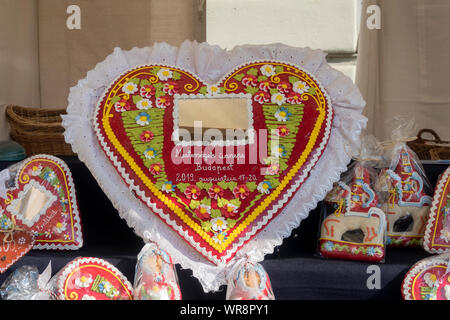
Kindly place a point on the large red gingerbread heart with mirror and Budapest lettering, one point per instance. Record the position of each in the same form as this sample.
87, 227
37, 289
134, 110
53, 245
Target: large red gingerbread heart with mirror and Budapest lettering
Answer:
217, 196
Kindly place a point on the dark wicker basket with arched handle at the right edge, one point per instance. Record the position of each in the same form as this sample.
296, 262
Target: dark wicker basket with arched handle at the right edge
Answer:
426, 149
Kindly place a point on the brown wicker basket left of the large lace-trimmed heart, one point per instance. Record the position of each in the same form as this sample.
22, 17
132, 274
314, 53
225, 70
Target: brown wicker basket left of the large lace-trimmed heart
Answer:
38, 130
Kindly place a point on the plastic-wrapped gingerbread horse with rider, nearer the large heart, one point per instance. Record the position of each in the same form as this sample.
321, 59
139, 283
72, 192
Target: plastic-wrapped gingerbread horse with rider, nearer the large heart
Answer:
353, 225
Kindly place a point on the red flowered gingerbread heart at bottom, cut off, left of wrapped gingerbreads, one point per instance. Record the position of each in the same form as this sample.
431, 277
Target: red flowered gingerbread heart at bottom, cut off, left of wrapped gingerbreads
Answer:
90, 278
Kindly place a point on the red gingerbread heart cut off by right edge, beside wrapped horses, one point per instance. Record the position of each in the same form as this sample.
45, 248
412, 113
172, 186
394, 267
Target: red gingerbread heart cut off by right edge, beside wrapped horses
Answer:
437, 233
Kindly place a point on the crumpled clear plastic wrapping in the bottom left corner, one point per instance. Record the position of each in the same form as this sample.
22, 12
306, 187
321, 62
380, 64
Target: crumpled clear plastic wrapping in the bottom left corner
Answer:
25, 283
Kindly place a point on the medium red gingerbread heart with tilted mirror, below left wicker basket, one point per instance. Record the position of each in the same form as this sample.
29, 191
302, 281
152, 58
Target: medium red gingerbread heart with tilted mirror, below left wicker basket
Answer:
41, 197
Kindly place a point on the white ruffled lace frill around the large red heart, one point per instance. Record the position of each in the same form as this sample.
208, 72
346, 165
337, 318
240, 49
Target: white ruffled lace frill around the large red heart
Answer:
211, 63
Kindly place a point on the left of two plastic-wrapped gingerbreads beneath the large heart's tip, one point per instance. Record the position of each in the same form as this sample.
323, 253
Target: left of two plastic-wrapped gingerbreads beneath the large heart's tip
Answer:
155, 276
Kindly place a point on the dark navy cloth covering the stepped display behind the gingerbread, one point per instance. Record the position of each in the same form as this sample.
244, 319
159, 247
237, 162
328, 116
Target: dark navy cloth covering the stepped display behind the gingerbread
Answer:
295, 270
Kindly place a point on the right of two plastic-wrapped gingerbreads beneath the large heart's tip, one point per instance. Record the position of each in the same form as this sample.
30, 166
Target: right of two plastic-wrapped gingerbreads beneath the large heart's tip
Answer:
249, 281
